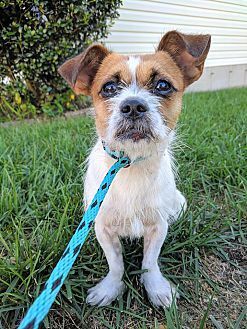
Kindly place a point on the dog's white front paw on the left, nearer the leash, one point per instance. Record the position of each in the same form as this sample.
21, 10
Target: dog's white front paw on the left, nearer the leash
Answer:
105, 292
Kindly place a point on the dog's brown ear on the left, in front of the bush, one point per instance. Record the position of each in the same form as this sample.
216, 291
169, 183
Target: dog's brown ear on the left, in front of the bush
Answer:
80, 70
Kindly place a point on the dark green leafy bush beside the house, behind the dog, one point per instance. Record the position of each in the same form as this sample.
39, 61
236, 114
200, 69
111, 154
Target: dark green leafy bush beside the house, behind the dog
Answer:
37, 36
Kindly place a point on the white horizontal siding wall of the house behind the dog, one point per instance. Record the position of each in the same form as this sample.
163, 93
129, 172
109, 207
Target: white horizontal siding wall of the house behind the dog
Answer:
142, 23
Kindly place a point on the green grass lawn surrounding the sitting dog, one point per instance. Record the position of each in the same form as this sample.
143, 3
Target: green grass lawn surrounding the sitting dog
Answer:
204, 254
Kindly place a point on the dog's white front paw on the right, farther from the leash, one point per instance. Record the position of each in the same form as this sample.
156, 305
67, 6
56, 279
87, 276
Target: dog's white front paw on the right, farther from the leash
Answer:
159, 290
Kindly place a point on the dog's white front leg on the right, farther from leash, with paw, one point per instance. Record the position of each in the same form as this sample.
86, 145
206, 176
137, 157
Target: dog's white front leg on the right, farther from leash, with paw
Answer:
158, 288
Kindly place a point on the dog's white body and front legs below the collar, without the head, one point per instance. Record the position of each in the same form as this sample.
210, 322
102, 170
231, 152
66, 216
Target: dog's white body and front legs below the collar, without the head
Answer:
141, 201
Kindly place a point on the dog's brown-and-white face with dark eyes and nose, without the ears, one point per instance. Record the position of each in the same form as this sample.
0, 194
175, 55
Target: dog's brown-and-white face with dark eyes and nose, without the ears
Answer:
137, 98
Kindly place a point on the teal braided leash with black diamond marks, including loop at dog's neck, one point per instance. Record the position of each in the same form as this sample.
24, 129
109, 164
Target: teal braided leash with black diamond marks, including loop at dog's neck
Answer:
42, 304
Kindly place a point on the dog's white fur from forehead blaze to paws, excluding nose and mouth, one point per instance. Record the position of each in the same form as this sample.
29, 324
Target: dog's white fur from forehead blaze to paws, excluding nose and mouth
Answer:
141, 201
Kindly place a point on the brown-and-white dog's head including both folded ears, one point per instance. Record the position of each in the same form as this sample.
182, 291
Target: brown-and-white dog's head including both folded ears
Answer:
138, 99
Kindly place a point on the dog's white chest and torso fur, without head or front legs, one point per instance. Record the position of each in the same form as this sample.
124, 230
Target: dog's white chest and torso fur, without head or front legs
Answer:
139, 196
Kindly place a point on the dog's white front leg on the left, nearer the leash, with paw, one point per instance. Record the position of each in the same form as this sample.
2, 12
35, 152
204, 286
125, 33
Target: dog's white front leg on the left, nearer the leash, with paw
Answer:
112, 285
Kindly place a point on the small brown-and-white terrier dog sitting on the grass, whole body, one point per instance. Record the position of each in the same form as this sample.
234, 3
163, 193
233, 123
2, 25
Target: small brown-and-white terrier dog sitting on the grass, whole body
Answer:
137, 102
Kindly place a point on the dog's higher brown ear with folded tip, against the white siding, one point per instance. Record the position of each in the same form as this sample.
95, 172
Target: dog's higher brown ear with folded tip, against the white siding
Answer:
188, 51
